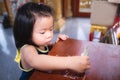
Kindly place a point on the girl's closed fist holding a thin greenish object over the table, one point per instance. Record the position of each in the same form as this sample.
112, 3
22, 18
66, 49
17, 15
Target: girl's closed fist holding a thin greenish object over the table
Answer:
79, 63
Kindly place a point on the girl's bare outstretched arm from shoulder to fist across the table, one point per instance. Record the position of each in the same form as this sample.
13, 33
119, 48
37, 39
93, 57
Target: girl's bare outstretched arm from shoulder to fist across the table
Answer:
47, 62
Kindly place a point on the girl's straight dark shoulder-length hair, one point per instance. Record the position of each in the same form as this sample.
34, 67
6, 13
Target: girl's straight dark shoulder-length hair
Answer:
25, 19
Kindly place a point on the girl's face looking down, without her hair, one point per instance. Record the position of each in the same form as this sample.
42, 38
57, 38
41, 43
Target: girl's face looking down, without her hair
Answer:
43, 31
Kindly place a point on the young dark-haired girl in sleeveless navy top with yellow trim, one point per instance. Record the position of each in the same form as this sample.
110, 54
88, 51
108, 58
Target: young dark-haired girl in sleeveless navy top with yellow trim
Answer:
33, 32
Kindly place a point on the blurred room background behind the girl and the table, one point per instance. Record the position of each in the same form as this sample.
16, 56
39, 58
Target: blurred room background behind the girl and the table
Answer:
90, 20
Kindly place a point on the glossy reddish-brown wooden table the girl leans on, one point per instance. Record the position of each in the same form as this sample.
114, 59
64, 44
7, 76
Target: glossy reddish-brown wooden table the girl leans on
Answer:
104, 61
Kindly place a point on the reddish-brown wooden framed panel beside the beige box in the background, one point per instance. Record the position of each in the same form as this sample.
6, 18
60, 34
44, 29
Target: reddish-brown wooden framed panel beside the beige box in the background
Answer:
81, 8
